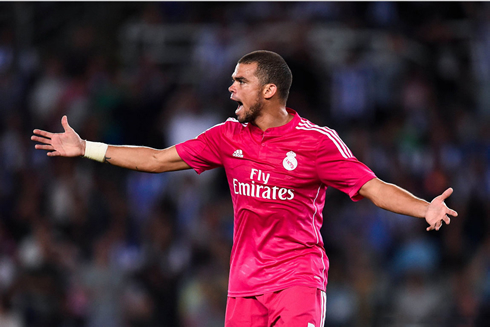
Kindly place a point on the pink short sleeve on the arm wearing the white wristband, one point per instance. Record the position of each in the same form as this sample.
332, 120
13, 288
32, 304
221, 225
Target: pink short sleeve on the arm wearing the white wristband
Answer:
202, 153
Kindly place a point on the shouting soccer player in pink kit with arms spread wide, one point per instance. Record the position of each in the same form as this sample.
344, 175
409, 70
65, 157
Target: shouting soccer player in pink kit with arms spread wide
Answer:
278, 167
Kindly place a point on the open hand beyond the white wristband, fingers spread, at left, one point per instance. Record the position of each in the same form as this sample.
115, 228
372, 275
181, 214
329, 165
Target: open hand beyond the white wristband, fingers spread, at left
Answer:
67, 144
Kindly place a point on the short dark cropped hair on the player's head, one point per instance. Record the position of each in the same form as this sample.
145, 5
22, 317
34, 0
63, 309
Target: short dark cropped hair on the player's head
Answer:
271, 68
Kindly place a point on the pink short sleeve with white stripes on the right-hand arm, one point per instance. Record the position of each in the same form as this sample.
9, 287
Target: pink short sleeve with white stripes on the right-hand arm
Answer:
338, 168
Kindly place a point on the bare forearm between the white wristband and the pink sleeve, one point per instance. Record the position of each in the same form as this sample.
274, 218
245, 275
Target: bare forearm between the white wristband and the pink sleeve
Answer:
144, 159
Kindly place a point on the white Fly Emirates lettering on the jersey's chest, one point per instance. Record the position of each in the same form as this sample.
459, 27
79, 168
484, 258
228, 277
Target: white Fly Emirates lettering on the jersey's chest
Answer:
262, 190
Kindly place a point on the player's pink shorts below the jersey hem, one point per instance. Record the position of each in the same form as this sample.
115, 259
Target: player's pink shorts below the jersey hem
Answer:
297, 306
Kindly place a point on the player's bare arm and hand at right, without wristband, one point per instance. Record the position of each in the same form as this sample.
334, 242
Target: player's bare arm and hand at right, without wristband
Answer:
393, 198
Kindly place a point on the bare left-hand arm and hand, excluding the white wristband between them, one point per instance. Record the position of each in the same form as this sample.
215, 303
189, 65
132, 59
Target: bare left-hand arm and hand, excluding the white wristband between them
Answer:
69, 144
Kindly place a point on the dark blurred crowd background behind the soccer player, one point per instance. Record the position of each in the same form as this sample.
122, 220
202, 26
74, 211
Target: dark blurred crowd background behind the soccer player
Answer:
406, 85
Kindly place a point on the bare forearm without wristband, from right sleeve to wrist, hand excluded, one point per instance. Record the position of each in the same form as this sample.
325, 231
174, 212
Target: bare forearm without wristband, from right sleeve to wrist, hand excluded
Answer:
393, 198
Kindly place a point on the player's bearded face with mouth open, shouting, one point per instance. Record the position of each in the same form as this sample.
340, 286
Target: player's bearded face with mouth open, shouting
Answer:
247, 91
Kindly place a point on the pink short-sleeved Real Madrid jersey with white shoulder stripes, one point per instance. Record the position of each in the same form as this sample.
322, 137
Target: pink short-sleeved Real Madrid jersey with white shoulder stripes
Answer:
277, 180
